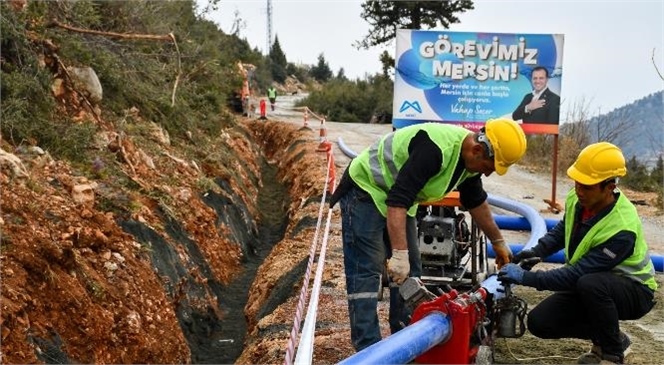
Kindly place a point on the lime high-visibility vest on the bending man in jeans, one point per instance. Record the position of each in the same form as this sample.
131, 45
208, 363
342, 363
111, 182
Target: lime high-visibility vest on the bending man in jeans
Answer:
376, 168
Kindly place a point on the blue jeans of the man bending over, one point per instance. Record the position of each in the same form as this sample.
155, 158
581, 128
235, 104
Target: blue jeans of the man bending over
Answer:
365, 252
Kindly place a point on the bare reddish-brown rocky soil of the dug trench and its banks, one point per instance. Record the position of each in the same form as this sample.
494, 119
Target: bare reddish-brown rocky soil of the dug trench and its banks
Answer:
151, 259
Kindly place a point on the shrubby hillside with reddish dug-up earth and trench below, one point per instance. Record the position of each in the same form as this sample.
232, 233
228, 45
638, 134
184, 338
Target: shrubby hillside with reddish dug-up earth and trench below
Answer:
136, 208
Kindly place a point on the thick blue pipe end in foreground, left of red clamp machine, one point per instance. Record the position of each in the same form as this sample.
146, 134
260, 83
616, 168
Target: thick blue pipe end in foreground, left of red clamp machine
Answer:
405, 345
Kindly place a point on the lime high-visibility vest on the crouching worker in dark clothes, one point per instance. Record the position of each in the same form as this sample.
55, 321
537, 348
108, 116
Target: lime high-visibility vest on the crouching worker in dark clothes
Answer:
622, 217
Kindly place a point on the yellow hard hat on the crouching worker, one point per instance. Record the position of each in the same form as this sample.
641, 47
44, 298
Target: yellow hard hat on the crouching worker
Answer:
596, 163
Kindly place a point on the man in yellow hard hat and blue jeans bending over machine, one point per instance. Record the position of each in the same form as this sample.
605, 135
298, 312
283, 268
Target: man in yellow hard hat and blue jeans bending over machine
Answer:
382, 187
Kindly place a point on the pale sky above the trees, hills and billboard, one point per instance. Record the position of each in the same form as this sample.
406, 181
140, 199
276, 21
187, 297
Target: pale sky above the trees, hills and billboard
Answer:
607, 56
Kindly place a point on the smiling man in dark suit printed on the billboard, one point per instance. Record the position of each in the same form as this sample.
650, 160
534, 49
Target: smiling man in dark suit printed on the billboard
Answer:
541, 106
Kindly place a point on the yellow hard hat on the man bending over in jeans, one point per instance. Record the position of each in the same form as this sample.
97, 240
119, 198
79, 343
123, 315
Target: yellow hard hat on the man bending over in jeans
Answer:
507, 141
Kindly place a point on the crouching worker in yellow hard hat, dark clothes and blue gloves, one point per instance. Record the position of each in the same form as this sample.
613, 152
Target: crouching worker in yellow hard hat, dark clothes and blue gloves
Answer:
608, 275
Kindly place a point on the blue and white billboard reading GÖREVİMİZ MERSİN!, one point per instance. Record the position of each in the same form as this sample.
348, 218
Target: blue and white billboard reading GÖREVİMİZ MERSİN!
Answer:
468, 78
